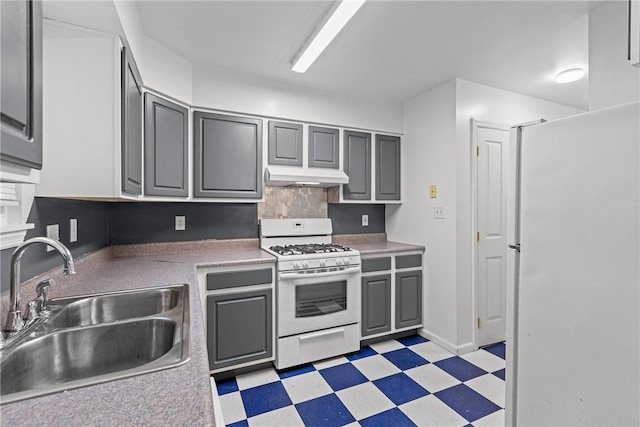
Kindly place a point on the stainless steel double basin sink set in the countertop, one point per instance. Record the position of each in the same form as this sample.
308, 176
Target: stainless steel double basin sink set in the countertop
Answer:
93, 339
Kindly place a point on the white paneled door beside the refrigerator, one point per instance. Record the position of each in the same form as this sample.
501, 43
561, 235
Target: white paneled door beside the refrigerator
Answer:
492, 167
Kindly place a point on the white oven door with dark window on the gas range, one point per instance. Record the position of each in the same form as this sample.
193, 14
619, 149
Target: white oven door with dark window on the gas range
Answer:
312, 301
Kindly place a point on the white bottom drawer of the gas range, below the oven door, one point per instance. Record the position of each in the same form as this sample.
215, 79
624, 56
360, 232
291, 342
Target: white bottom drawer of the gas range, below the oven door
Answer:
299, 349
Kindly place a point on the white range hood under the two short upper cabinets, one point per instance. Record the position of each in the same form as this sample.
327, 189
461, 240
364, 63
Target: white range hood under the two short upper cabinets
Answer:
285, 176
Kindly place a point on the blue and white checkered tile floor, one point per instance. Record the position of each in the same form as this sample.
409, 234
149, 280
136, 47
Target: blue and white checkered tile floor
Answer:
405, 382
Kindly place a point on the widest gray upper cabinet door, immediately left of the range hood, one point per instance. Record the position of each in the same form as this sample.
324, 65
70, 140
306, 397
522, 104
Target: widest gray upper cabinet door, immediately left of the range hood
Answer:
227, 156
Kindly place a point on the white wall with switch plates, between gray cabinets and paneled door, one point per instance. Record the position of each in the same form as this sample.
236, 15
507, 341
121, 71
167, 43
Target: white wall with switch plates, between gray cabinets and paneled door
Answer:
437, 150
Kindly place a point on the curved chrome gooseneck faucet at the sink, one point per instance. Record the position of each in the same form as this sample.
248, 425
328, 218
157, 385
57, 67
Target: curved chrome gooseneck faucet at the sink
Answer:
15, 321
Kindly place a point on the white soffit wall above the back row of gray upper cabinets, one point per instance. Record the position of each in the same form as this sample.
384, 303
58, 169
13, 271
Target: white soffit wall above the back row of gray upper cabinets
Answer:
224, 90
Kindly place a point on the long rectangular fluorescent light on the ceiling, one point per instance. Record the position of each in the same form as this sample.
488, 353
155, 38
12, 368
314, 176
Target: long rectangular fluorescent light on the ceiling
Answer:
334, 21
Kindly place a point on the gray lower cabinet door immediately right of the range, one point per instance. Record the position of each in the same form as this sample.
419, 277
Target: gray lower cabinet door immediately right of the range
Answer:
376, 304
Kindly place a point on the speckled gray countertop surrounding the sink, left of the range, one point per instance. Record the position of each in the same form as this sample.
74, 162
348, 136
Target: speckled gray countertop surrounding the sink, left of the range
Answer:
173, 397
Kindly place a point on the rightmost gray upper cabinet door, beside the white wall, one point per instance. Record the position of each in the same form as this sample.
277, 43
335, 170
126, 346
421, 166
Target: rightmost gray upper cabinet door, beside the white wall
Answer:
387, 167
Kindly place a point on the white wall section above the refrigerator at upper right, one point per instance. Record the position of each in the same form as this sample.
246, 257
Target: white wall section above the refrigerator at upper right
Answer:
612, 80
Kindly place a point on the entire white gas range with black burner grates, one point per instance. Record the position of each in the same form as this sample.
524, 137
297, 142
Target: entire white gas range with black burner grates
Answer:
317, 290
